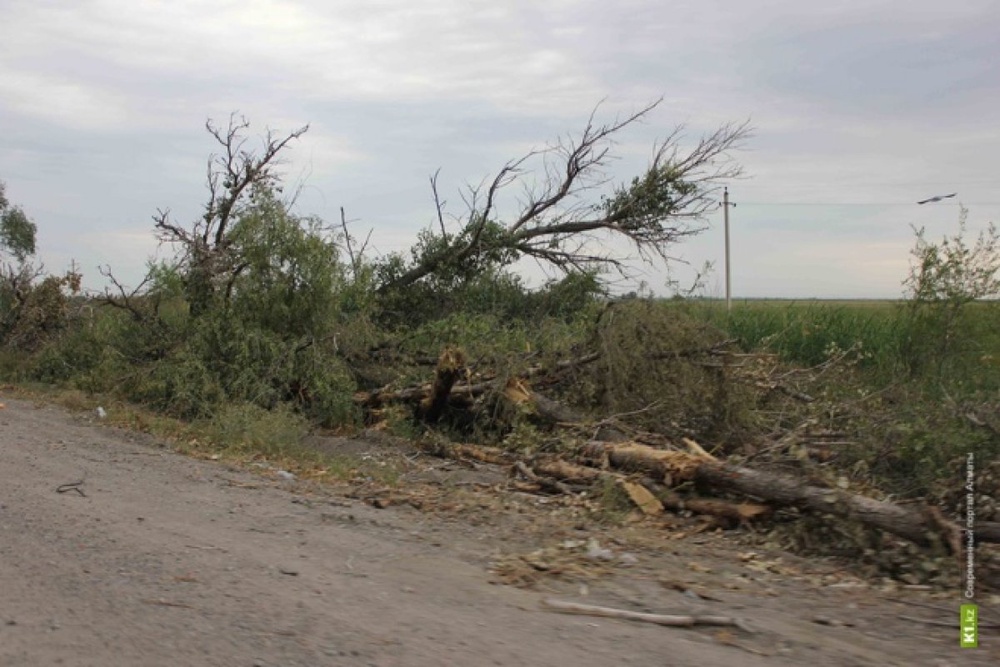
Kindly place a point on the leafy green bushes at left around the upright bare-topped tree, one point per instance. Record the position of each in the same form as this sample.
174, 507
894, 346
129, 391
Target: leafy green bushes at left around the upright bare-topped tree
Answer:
269, 338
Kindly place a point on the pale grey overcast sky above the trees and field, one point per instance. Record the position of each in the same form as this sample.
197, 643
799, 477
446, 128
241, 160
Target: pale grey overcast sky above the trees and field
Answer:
859, 107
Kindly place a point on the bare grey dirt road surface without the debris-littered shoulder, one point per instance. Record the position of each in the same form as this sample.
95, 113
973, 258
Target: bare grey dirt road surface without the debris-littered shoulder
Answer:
158, 559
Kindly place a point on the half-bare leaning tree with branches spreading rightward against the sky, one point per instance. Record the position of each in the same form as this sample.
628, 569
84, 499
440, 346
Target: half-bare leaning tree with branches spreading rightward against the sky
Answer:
556, 223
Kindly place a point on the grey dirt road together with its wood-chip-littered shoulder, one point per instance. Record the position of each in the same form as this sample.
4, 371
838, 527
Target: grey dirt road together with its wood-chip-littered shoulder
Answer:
160, 559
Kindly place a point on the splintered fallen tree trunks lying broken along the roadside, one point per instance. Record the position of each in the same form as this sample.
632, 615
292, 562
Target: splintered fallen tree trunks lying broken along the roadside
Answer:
607, 453
